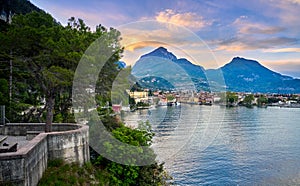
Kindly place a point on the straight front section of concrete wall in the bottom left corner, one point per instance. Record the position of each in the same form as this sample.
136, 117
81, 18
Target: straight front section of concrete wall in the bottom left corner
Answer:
26, 166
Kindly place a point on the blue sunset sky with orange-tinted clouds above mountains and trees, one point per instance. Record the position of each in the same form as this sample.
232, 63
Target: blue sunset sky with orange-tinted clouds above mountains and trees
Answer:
206, 32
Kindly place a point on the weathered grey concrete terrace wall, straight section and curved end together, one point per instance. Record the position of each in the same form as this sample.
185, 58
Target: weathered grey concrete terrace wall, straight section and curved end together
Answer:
26, 166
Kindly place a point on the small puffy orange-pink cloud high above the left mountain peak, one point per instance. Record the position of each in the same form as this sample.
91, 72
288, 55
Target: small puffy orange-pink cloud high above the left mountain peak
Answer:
187, 19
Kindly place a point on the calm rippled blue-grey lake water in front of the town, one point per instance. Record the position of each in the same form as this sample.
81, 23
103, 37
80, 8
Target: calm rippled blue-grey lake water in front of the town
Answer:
213, 145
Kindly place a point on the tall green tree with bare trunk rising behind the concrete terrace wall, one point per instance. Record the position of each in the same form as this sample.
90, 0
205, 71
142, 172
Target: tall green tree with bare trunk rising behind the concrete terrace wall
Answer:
37, 38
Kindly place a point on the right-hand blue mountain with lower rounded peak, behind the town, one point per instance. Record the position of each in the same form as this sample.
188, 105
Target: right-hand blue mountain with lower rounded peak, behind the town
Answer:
244, 75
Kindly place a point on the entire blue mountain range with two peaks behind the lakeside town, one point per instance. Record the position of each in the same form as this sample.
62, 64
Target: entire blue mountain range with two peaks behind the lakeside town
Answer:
160, 69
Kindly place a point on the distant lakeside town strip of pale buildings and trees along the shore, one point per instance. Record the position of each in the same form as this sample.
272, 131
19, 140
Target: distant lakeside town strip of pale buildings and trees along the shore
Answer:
145, 99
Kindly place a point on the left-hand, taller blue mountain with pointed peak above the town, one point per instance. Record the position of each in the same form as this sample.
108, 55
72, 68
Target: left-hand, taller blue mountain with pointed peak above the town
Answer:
162, 64
